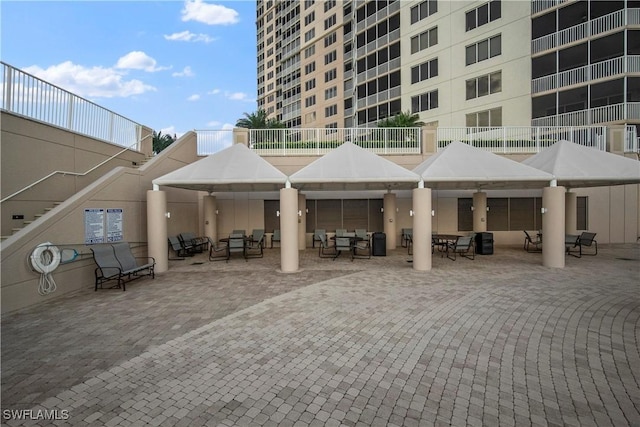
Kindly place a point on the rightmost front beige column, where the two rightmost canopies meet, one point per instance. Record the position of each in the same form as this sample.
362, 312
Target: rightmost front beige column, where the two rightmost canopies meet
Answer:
553, 220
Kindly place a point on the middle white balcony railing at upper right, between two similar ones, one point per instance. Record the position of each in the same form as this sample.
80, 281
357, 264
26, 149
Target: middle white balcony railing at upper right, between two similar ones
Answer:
599, 70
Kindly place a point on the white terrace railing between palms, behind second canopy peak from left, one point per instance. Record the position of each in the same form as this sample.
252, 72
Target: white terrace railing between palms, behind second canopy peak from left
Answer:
306, 142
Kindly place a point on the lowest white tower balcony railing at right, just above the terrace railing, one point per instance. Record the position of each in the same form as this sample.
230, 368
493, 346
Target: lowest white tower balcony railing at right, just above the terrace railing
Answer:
605, 114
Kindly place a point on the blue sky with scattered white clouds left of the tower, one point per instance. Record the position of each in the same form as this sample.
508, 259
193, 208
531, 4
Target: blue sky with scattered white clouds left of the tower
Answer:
173, 66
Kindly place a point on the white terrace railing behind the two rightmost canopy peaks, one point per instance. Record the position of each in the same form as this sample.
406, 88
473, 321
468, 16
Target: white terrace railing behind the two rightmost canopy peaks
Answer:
507, 140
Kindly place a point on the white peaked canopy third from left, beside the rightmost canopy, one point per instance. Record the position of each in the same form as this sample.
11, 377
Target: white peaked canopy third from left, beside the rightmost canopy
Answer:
461, 166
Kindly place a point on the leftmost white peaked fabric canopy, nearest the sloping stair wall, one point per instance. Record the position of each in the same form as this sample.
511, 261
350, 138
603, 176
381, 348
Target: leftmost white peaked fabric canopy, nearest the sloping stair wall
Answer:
236, 168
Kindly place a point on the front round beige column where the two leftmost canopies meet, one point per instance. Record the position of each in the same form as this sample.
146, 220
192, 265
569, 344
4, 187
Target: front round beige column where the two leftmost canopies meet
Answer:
289, 230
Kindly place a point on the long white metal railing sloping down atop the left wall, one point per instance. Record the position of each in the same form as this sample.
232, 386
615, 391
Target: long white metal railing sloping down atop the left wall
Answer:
29, 96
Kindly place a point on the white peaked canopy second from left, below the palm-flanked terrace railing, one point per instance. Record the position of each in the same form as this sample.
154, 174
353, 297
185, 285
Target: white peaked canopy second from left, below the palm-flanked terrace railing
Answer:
350, 167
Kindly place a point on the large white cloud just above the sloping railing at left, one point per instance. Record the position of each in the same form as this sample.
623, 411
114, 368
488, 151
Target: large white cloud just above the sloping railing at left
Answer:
90, 82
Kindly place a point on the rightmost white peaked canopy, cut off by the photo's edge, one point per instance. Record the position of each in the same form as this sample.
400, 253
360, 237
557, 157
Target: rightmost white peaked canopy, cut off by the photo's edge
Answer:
575, 165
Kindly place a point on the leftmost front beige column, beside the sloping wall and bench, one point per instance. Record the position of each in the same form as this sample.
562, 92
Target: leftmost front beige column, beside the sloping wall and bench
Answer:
157, 243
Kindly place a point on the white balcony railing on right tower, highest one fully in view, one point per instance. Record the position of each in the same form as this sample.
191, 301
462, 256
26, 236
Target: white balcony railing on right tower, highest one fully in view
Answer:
581, 31
